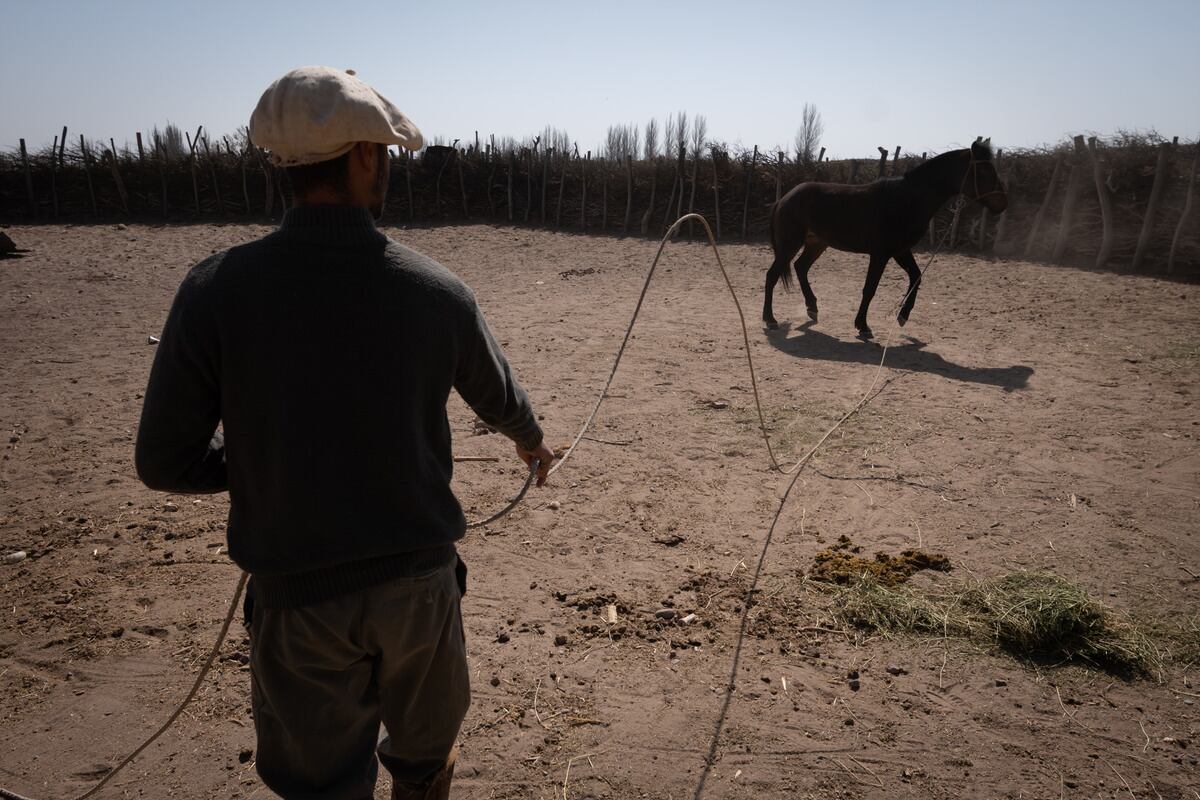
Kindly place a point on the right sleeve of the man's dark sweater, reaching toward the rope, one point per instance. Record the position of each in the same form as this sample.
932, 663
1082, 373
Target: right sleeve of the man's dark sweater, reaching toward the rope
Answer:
485, 382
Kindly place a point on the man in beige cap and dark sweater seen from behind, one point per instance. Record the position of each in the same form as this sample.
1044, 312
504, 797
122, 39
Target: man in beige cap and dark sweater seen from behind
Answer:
328, 353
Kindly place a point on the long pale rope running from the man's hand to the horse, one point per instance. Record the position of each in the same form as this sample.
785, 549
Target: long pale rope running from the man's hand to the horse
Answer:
5, 795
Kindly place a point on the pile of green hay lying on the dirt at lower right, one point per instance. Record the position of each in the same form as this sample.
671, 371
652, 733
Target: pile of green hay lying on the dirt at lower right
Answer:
1033, 616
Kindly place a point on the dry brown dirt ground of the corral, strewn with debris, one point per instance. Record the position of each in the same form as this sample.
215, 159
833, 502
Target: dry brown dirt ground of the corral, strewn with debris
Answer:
1039, 418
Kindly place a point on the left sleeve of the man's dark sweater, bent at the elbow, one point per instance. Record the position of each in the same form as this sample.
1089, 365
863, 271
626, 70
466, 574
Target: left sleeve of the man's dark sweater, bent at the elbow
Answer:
179, 448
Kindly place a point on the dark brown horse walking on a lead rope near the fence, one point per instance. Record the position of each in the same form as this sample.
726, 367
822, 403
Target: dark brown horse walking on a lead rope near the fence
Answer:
884, 219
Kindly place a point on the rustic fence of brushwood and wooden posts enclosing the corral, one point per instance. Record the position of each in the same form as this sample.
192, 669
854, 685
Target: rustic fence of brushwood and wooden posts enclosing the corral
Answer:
1133, 213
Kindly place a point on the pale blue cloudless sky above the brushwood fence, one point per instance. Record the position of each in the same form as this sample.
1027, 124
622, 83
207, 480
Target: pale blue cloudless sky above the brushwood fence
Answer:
927, 75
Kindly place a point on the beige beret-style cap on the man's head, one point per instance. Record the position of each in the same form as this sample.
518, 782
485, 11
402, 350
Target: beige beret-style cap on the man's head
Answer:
315, 115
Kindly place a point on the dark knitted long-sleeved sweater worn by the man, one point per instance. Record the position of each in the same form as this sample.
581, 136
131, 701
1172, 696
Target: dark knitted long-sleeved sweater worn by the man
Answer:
327, 352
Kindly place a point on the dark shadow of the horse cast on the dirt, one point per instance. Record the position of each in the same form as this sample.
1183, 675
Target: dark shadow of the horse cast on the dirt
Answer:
909, 356
